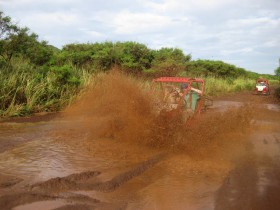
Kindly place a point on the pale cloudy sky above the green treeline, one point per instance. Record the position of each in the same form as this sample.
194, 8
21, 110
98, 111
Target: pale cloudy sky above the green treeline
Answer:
245, 33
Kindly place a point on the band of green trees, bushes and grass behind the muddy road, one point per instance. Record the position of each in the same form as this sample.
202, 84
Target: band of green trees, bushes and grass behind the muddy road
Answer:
37, 77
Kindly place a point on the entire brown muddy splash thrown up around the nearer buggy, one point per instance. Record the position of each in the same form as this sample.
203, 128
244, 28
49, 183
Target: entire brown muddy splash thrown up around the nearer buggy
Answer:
120, 107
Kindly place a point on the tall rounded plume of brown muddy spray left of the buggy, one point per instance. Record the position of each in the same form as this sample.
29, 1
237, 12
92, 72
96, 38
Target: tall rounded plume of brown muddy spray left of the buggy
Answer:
117, 107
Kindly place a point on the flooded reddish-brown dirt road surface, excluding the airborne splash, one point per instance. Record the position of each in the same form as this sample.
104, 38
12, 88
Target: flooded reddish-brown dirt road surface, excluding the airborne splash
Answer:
55, 164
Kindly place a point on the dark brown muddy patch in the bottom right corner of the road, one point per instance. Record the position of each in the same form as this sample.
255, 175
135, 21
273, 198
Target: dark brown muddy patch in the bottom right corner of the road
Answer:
255, 182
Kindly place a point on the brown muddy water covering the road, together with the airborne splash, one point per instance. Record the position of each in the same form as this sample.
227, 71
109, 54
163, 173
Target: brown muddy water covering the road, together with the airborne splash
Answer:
109, 150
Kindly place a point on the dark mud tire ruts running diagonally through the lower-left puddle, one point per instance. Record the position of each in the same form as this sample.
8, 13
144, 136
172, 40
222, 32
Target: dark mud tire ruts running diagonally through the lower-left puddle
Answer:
53, 189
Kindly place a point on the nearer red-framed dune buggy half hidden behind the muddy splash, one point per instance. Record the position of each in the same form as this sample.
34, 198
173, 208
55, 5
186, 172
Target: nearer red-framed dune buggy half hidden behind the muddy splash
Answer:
182, 96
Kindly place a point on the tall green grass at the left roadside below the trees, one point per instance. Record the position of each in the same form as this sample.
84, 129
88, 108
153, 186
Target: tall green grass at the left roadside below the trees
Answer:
24, 89
